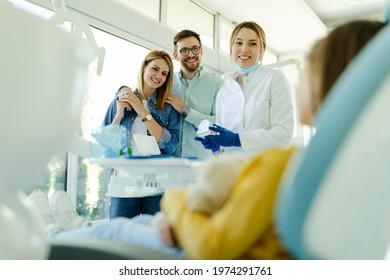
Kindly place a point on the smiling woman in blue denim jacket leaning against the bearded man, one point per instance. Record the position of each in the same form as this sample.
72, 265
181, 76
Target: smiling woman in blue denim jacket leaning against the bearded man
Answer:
144, 111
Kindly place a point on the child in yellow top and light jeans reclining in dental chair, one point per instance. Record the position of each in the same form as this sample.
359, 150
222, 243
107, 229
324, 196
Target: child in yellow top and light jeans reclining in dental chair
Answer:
242, 228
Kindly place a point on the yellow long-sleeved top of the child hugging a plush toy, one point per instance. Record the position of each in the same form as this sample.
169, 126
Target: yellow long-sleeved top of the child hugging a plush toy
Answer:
243, 228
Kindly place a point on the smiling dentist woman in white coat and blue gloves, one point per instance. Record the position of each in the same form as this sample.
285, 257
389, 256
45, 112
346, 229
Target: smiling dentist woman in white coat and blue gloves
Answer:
254, 108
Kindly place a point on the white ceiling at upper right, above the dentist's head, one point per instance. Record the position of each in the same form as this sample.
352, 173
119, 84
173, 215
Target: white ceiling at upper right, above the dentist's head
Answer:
293, 25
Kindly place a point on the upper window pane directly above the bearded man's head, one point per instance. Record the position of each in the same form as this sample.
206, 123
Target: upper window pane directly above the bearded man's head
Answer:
188, 15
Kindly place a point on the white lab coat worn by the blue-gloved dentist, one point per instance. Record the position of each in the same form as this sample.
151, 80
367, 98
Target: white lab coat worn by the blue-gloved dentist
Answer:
261, 112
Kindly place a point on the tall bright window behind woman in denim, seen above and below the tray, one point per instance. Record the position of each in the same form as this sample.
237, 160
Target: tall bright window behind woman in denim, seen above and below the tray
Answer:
121, 66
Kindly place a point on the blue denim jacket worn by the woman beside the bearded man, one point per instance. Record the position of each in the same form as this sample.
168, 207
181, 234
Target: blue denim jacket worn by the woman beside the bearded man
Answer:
169, 119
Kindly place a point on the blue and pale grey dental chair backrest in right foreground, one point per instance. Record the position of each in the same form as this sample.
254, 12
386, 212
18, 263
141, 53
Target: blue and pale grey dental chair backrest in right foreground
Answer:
334, 201
